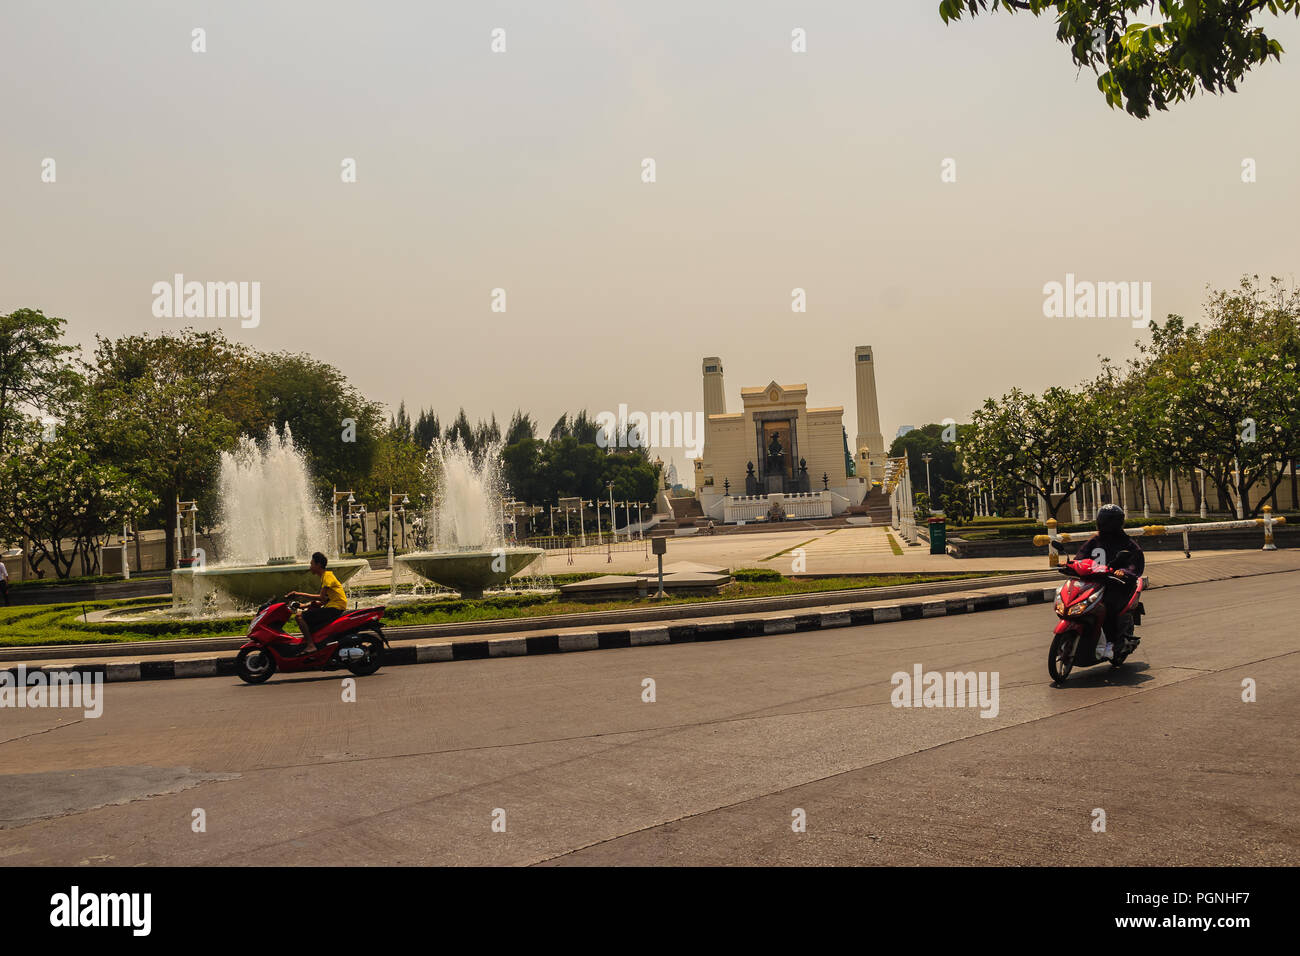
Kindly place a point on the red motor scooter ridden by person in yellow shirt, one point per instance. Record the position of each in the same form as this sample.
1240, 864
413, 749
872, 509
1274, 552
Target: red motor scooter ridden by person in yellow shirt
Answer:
353, 641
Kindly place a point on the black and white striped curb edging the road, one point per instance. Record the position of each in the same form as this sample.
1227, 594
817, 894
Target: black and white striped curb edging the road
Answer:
593, 641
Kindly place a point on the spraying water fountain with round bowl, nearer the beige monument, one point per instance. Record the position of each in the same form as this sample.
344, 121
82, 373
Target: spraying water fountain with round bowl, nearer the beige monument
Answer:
465, 524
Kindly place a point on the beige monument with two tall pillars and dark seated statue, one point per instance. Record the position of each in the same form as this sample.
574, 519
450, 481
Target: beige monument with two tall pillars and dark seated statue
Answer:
778, 451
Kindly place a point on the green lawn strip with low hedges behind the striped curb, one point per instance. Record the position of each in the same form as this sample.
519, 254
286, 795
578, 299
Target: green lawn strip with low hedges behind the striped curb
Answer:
64, 625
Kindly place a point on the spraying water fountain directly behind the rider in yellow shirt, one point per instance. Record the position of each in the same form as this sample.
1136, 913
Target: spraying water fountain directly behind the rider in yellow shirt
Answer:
271, 527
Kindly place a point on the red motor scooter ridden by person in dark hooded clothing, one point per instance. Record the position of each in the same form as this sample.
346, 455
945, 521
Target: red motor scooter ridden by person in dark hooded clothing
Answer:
1084, 613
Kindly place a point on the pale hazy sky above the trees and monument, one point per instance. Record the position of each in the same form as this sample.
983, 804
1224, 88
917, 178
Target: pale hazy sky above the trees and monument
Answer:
523, 171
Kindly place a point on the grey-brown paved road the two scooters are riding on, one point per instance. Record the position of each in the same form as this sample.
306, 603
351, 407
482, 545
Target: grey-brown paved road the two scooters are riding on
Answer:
742, 734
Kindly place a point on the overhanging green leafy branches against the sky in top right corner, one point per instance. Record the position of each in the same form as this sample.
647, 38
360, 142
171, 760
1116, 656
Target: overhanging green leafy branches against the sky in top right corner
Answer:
1193, 45
